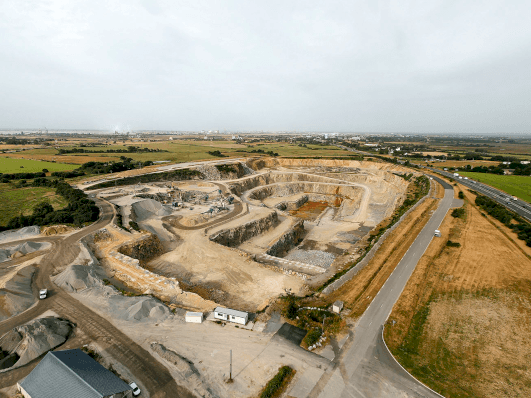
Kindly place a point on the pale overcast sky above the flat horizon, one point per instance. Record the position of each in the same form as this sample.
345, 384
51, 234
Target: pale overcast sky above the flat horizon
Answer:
354, 66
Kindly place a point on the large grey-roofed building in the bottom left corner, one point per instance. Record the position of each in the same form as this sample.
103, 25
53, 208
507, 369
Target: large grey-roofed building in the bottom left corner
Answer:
72, 373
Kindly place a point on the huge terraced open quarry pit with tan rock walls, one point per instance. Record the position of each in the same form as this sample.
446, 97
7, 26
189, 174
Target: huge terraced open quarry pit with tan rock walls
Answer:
241, 235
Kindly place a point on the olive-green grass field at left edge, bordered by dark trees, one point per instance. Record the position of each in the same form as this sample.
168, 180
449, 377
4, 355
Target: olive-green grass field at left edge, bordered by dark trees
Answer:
14, 201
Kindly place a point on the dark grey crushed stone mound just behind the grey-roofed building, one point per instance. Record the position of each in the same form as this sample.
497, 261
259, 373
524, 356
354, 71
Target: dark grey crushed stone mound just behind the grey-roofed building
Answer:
33, 339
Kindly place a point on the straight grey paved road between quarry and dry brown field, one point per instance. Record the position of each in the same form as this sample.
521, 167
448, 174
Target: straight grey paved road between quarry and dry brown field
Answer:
364, 367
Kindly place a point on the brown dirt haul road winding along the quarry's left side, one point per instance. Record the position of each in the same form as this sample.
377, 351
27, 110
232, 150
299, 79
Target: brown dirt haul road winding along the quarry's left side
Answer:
146, 369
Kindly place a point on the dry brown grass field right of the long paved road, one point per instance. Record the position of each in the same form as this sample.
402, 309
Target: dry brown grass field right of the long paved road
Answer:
461, 325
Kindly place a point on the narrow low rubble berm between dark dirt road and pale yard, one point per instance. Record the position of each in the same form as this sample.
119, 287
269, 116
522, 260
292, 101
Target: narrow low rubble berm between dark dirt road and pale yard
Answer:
187, 371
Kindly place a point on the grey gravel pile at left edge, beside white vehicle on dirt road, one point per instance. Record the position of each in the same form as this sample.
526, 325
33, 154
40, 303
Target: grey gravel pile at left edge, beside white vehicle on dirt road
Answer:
16, 295
